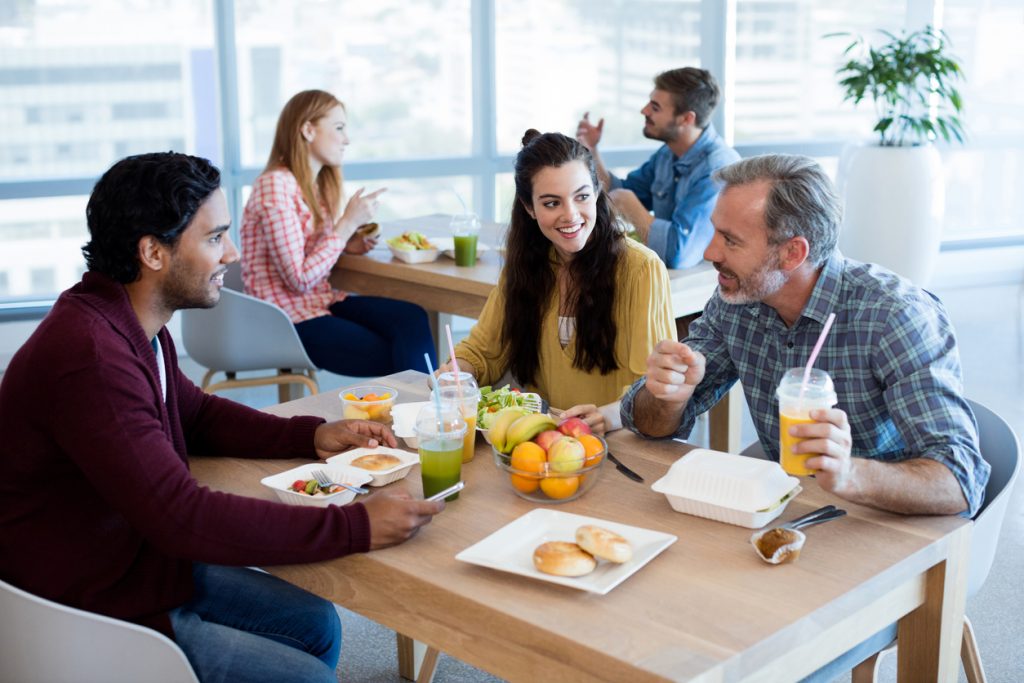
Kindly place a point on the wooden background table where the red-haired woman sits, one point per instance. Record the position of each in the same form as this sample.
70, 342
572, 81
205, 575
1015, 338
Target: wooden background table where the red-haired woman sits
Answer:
444, 289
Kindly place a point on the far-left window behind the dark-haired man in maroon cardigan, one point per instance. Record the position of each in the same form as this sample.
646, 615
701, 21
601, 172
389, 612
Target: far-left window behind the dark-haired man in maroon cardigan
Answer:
83, 84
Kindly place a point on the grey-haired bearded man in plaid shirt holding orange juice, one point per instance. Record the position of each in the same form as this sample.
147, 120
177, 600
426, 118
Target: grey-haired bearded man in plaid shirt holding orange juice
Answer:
903, 439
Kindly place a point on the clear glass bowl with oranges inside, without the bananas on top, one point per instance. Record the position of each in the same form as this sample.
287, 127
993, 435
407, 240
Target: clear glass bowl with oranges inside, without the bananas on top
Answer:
552, 476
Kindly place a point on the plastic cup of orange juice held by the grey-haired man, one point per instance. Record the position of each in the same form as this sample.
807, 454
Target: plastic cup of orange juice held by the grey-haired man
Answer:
795, 407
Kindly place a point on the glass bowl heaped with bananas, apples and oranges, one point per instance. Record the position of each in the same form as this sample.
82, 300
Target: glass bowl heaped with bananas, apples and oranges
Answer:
545, 461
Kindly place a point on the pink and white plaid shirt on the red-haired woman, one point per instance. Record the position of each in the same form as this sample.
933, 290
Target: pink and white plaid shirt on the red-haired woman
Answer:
283, 262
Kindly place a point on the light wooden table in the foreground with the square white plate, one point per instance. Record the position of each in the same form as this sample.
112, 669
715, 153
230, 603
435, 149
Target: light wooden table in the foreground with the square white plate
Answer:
705, 610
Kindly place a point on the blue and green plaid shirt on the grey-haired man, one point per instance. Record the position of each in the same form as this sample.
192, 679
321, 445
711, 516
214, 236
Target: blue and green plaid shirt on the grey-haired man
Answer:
891, 354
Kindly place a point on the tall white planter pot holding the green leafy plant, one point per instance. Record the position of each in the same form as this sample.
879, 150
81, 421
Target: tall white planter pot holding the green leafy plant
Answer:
894, 203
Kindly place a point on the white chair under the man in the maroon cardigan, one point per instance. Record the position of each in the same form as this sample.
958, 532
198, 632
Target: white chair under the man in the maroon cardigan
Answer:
47, 643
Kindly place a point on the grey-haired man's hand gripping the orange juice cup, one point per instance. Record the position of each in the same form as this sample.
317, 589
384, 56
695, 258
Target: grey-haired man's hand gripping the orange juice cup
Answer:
830, 440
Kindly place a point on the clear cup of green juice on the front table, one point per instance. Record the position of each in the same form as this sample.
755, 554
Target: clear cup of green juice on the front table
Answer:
441, 448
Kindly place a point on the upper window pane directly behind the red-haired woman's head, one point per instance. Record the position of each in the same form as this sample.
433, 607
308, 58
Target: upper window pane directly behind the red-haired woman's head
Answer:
403, 70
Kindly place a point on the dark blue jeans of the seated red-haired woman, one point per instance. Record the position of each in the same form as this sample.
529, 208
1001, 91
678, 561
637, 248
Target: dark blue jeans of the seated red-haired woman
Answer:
369, 336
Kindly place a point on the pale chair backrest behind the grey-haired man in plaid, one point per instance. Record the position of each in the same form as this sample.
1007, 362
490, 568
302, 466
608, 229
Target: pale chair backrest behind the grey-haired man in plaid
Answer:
1001, 449
